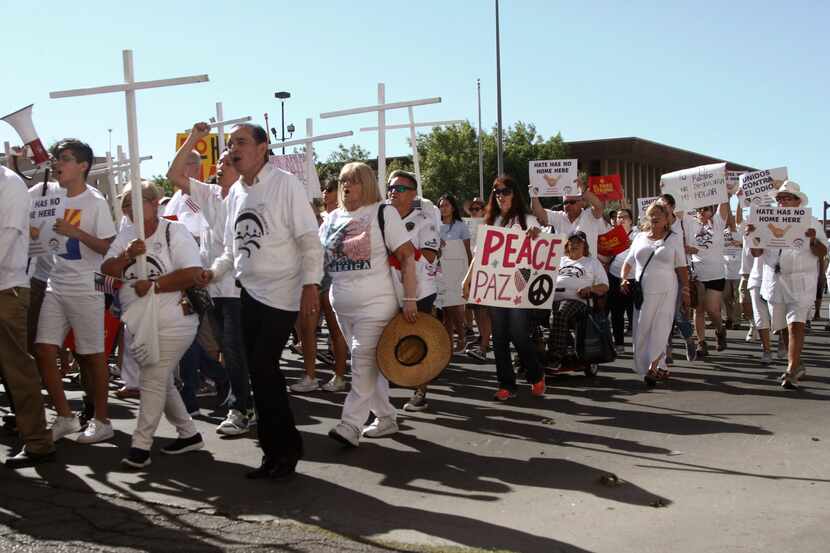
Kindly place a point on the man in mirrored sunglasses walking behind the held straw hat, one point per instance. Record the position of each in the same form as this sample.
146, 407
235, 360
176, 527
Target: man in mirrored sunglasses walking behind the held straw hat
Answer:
419, 221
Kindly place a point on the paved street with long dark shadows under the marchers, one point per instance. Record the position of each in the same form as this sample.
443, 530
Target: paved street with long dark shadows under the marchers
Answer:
720, 459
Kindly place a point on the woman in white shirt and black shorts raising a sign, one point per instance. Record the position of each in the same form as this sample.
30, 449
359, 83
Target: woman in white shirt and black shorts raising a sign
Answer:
704, 244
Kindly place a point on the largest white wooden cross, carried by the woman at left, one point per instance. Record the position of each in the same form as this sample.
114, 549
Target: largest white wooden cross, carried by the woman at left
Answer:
128, 88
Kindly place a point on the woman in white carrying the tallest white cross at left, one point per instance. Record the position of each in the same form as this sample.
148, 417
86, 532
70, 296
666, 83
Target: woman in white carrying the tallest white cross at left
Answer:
173, 264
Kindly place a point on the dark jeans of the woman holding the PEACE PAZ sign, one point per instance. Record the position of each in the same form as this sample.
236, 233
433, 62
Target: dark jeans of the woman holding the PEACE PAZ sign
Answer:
513, 325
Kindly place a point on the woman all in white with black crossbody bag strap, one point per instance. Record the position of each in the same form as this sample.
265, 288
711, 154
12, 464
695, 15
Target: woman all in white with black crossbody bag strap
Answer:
657, 261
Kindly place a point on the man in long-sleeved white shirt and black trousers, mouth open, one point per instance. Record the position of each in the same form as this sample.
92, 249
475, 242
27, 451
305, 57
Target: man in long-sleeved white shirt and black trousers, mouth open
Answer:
271, 244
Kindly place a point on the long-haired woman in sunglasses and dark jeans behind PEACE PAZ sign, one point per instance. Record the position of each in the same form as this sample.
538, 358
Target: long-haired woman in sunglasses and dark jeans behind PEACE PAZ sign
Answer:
506, 207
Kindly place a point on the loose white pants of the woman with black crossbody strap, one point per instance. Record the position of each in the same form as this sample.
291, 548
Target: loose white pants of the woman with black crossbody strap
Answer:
653, 323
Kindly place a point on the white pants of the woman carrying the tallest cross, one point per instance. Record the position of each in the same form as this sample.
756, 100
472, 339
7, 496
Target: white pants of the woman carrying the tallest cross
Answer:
159, 393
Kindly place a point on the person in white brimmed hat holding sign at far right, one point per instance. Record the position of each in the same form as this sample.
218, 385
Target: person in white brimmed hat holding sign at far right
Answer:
789, 282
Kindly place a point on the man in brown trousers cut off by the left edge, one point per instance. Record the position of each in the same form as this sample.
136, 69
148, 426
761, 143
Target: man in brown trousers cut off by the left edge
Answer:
17, 367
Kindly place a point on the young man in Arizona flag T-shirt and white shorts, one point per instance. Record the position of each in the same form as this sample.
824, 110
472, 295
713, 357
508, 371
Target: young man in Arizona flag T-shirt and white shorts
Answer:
71, 300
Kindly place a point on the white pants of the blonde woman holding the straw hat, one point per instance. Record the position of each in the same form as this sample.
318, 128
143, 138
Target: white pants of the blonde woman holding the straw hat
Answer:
370, 389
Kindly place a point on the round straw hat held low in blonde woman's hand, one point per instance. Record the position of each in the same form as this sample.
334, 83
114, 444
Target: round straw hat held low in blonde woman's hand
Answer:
413, 354
